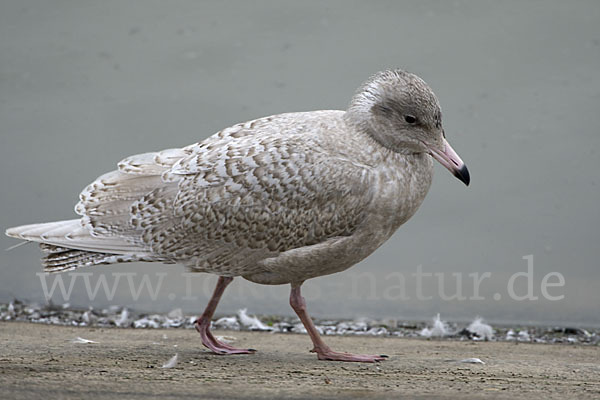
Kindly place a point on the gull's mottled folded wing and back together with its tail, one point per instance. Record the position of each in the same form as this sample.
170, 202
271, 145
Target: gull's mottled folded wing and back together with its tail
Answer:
249, 192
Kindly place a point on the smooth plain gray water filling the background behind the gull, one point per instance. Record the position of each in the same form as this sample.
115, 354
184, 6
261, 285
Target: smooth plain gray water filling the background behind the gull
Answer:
84, 84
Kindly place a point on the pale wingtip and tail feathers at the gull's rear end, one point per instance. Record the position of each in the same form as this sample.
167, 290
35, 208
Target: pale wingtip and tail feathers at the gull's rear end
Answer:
105, 234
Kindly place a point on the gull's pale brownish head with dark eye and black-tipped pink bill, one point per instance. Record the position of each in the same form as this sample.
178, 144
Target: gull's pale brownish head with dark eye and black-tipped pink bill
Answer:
401, 112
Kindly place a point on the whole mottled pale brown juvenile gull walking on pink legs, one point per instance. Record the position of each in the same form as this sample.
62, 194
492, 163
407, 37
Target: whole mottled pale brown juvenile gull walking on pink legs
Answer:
277, 200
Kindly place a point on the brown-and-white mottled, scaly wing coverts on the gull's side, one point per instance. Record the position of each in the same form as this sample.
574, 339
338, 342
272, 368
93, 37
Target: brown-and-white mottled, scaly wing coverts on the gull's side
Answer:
244, 198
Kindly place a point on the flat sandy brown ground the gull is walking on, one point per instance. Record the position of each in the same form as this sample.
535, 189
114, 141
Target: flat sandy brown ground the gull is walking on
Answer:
39, 361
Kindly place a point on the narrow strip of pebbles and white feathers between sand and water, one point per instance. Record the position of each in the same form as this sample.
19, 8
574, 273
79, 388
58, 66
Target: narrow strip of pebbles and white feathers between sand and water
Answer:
116, 316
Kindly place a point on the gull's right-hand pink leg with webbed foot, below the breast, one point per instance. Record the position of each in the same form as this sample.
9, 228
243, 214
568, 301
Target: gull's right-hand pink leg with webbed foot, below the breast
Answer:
323, 351
